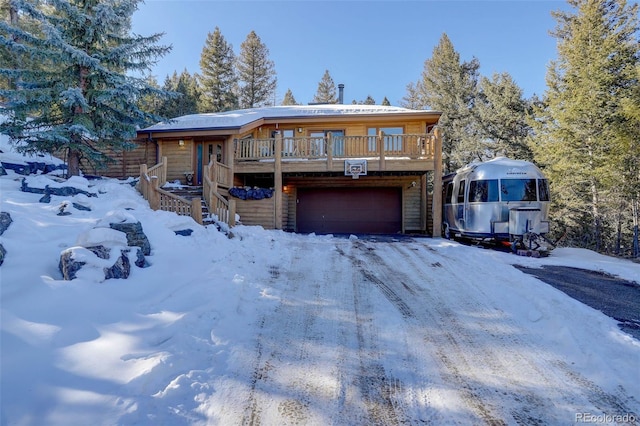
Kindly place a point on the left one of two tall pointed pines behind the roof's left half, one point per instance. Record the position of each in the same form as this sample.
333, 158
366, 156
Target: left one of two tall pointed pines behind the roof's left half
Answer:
218, 80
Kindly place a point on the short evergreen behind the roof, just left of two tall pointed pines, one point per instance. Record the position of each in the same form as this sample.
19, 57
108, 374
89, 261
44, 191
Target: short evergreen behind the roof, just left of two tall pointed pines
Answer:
186, 86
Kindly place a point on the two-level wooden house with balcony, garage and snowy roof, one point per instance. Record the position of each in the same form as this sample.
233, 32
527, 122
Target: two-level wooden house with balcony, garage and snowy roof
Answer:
313, 168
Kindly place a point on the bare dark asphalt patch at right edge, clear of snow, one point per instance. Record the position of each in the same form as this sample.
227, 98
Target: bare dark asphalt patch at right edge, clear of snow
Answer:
614, 297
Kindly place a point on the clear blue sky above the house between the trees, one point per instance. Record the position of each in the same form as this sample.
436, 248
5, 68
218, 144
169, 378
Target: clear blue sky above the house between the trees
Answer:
374, 47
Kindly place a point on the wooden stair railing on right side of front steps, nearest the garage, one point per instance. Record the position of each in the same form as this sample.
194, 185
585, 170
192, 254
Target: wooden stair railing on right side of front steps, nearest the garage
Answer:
218, 175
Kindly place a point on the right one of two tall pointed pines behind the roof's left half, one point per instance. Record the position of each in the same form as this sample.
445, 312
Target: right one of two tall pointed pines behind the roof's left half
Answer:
256, 73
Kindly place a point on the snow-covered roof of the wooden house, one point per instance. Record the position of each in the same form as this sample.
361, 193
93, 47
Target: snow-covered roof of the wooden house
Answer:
239, 118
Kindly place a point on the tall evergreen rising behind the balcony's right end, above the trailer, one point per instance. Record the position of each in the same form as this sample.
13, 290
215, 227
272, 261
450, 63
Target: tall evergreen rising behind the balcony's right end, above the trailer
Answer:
450, 86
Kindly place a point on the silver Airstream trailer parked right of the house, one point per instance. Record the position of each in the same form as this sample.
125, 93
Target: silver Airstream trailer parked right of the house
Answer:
499, 200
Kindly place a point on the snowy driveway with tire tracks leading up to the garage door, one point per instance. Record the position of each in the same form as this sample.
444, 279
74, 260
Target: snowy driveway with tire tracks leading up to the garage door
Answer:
409, 332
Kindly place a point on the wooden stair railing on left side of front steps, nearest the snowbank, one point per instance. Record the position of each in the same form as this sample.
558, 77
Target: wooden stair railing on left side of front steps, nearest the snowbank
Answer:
149, 186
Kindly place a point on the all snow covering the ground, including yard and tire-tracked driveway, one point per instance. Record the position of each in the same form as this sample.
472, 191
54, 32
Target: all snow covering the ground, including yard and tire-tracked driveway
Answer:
276, 328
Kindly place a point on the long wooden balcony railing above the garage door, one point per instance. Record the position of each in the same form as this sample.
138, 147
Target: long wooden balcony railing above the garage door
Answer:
412, 146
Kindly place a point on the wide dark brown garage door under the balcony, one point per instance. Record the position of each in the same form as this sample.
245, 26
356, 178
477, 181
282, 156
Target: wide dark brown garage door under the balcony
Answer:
349, 210
